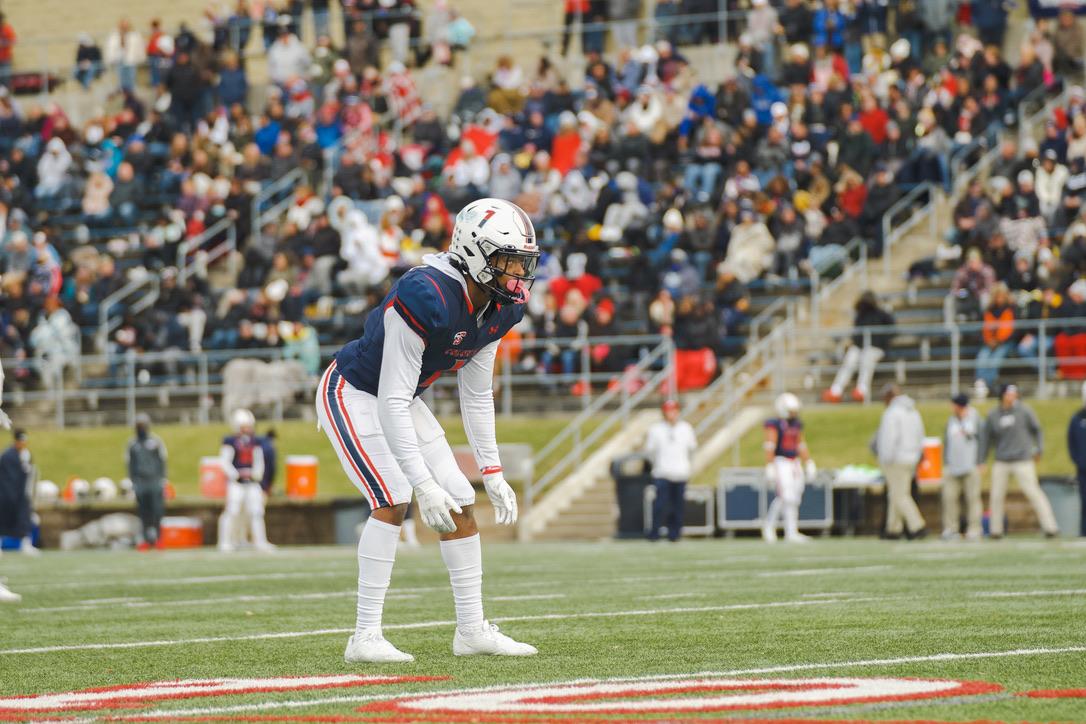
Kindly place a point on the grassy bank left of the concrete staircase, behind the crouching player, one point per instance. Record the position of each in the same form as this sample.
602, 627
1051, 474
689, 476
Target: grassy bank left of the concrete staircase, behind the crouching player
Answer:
92, 453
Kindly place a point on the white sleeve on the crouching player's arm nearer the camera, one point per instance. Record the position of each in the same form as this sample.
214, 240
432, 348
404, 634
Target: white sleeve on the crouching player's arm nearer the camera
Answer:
401, 365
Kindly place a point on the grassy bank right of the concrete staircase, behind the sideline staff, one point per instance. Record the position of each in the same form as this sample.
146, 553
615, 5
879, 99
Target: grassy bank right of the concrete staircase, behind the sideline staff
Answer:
840, 435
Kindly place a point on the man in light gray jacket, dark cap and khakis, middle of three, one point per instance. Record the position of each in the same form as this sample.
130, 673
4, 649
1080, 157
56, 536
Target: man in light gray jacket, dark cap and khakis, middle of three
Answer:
962, 471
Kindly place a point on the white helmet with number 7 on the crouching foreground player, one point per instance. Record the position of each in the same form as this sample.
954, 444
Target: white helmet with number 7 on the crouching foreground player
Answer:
493, 239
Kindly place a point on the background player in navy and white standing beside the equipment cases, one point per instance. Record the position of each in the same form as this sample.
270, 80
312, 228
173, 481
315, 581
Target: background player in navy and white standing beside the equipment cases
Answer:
789, 466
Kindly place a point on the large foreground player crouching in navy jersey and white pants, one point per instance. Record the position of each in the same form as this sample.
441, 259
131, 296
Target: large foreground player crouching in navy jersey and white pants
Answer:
447, 315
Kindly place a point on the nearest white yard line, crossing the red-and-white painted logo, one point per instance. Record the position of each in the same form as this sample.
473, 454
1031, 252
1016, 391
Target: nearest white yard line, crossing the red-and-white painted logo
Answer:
271, 706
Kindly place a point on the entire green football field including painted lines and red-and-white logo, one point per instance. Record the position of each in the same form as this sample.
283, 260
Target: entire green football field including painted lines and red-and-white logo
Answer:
703, 630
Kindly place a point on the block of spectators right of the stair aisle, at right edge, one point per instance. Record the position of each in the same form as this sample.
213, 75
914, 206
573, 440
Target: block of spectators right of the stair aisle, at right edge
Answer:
1022, 240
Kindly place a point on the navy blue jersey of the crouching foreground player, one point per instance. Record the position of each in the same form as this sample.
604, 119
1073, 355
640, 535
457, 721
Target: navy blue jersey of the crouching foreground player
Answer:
437, 308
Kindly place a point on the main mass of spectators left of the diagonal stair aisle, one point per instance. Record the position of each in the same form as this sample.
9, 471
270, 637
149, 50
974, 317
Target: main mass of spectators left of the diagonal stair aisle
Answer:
663, 202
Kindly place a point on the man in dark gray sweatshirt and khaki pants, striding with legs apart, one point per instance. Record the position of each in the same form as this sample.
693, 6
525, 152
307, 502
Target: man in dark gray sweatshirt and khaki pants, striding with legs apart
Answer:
1014, 433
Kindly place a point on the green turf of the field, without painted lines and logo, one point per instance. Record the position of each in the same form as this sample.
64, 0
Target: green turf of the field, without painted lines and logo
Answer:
842, 601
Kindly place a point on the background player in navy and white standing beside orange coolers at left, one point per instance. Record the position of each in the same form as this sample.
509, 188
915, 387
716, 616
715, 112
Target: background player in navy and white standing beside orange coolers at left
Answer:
244, 462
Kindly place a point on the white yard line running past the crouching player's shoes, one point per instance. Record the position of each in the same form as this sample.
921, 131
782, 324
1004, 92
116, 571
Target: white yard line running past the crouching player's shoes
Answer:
427, 625
